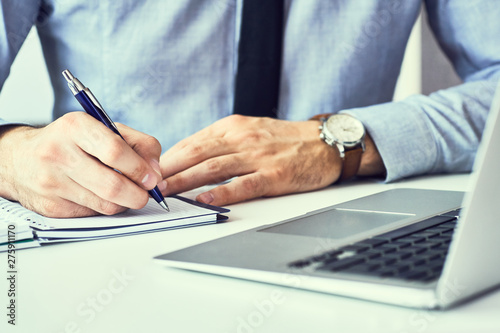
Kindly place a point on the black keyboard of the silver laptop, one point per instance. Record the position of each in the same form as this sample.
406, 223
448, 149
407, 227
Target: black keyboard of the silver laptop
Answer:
415, 252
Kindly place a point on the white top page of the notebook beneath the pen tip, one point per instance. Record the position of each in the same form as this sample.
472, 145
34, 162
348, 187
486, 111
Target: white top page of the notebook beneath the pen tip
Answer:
152, 212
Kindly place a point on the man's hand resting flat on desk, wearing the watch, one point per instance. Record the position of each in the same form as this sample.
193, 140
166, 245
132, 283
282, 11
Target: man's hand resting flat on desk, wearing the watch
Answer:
270, 157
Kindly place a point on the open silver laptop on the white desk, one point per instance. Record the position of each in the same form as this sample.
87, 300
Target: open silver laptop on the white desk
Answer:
409, 247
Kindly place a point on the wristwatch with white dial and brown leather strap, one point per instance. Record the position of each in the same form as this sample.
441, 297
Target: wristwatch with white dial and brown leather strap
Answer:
348, 135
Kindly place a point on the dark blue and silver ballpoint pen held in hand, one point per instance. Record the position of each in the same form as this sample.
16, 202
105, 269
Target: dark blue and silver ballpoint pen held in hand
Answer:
92, 106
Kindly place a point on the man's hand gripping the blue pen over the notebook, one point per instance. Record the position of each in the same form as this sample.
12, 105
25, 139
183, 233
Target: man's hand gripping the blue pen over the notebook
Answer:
66, 169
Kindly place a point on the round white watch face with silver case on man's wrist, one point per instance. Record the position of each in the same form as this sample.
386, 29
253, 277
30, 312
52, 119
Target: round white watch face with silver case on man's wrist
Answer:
345, 129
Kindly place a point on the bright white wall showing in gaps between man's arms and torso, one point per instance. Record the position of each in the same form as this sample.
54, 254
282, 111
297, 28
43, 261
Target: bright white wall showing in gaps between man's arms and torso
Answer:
27, 94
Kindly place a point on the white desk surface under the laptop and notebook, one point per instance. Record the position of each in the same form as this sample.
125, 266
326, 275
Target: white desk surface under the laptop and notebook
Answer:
74, 287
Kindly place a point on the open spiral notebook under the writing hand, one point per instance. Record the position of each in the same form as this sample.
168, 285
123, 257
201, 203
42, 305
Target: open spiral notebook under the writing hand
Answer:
25, 228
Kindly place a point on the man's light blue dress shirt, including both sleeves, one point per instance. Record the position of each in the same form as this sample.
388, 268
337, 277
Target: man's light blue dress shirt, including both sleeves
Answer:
167, 67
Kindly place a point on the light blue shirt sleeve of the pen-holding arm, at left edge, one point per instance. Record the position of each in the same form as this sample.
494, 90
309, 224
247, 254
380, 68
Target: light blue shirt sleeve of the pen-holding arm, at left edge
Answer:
16, 20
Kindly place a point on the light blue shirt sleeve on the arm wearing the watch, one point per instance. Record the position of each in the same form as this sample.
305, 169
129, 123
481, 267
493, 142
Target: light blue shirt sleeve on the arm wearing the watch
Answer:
441, 132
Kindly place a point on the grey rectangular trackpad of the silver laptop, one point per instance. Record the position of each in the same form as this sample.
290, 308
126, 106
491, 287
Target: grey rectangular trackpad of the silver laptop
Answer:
336, 223
